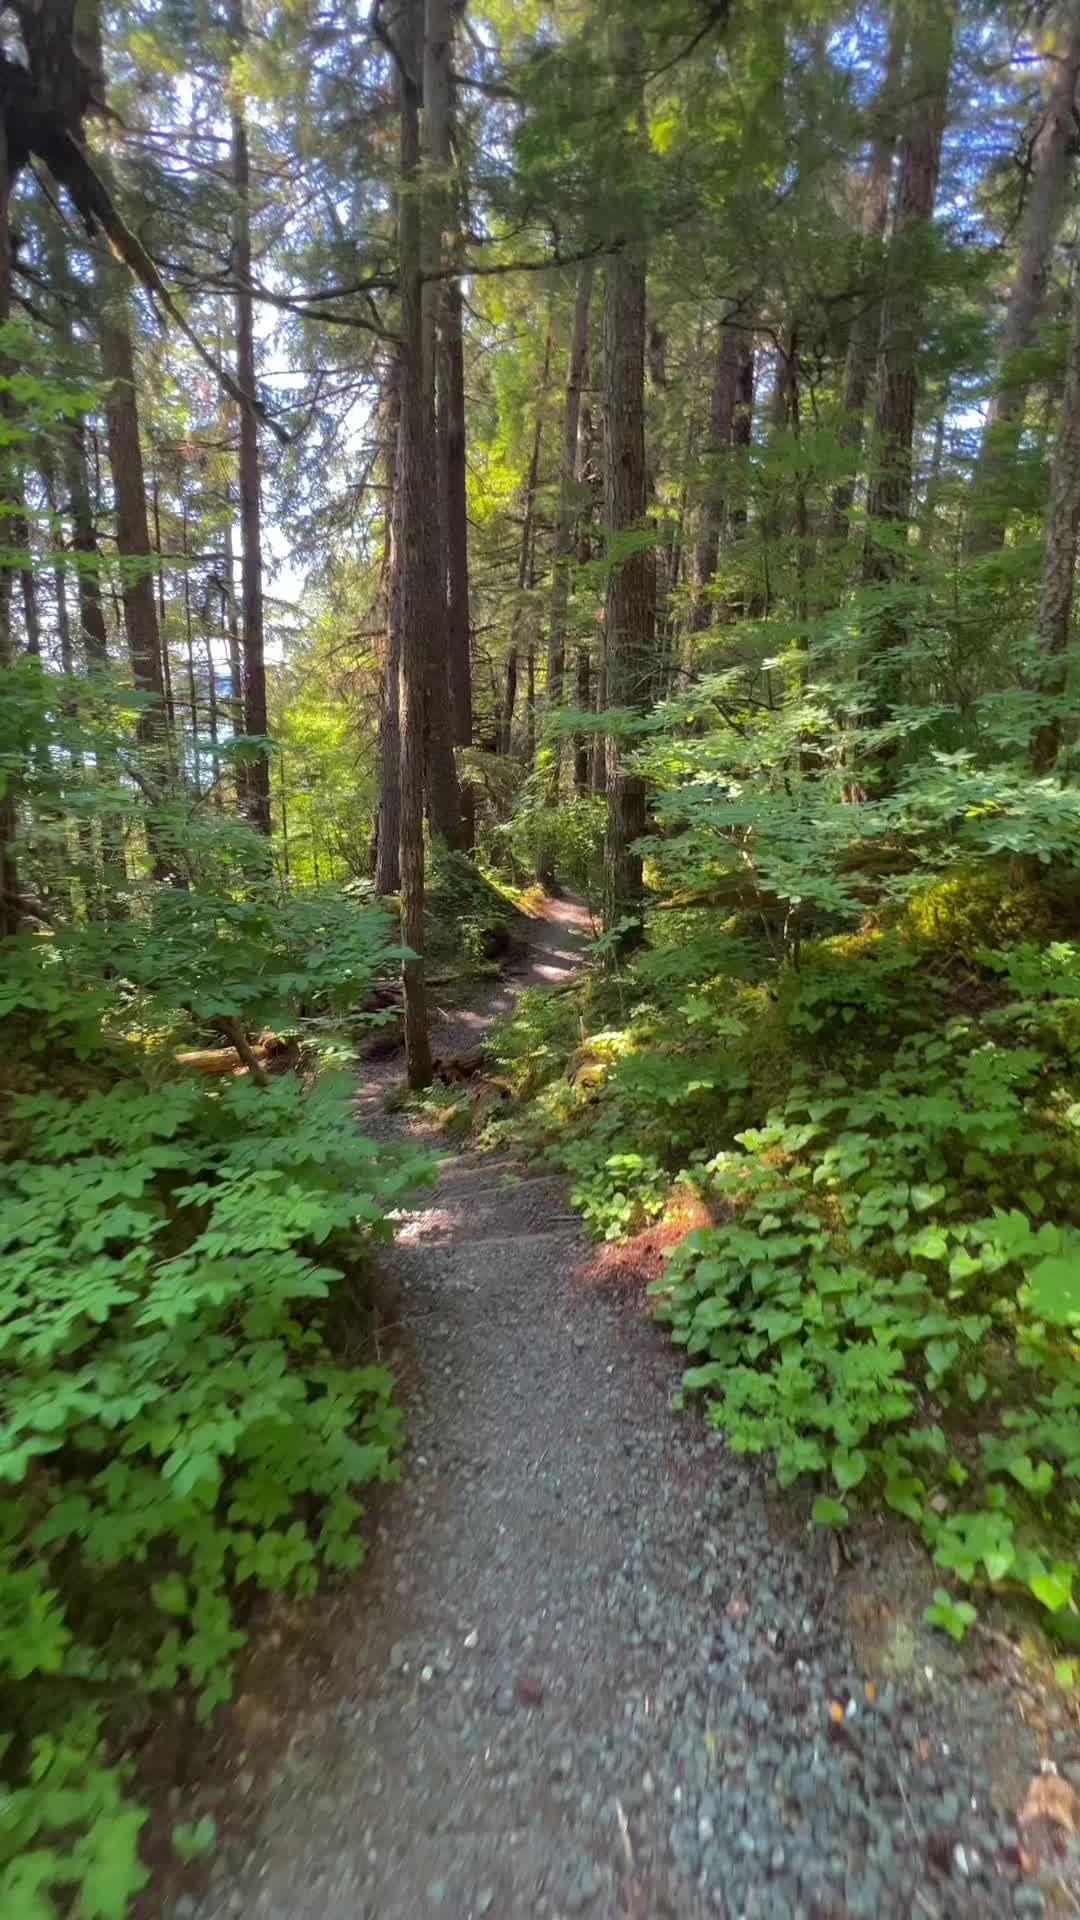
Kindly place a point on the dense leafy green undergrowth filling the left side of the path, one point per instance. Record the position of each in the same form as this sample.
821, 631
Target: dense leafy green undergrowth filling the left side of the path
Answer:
189, 1410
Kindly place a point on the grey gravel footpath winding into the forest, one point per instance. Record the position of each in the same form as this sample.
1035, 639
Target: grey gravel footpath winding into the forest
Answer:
595, 1666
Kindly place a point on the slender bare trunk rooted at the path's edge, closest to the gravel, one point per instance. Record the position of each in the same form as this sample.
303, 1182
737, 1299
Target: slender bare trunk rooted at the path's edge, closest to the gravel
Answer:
414, 544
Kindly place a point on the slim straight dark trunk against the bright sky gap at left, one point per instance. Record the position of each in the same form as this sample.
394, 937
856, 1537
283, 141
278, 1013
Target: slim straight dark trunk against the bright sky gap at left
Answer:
257, 782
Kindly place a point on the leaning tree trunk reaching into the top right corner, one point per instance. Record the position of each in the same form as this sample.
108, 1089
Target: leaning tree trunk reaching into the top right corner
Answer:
1052, 153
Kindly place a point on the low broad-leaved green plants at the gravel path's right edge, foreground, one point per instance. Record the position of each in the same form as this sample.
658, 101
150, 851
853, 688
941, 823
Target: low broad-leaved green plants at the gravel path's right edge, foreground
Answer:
891, 1297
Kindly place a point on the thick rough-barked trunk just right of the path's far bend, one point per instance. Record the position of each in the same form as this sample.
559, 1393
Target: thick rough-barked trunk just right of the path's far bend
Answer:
631, 587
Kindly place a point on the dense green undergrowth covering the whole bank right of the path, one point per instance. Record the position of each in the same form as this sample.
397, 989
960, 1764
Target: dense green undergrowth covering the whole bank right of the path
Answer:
883, 1124
